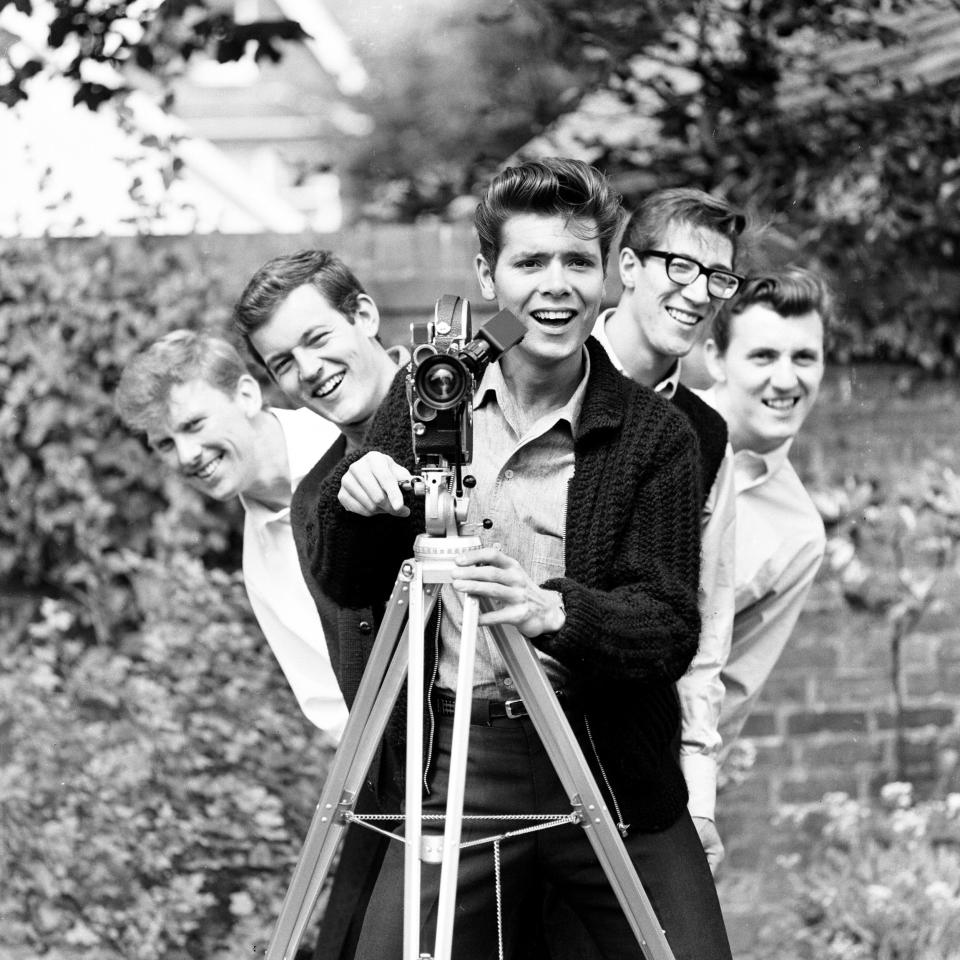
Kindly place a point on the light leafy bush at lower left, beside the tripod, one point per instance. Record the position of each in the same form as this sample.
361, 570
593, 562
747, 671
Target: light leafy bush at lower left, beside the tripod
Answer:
153, 795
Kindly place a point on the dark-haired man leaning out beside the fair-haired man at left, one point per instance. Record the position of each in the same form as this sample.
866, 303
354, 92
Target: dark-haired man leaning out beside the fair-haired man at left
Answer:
307, 319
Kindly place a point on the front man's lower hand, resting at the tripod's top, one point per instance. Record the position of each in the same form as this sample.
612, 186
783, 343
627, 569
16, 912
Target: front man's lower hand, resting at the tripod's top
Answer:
518, 600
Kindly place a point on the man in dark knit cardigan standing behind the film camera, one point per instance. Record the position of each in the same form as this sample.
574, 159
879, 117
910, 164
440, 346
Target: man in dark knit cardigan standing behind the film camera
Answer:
589, 479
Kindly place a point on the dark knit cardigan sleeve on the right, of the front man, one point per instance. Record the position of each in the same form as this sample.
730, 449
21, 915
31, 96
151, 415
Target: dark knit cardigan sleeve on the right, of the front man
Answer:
645, 627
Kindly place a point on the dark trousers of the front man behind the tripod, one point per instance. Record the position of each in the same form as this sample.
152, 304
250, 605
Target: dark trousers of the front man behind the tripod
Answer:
508, 772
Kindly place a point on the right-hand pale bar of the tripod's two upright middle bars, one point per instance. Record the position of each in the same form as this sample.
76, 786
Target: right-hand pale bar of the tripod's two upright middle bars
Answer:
453, 821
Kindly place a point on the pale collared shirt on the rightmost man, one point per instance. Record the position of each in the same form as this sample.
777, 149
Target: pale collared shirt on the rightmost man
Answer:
780, 545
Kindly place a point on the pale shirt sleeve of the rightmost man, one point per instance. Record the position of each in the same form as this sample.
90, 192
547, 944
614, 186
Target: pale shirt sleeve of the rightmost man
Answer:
761, 631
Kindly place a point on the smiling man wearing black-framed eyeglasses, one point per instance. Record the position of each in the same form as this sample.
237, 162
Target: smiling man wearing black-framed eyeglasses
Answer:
676, 263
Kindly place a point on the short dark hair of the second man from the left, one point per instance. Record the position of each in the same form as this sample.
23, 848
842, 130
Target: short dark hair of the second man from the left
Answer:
279, 277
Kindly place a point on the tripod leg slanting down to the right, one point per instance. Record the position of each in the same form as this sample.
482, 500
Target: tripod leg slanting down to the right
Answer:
561, 745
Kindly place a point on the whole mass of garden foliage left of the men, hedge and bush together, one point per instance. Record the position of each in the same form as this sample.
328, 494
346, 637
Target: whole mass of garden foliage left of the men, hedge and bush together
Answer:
156, 776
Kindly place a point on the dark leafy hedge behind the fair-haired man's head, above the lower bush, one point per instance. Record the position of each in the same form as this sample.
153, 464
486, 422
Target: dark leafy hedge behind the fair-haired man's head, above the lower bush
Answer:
81, 496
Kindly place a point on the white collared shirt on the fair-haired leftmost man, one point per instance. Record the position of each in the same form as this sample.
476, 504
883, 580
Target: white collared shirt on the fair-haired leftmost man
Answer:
278, 595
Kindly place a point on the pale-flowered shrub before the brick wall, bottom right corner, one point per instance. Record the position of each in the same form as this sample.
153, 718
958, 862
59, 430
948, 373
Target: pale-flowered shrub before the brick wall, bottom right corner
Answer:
878, 882
